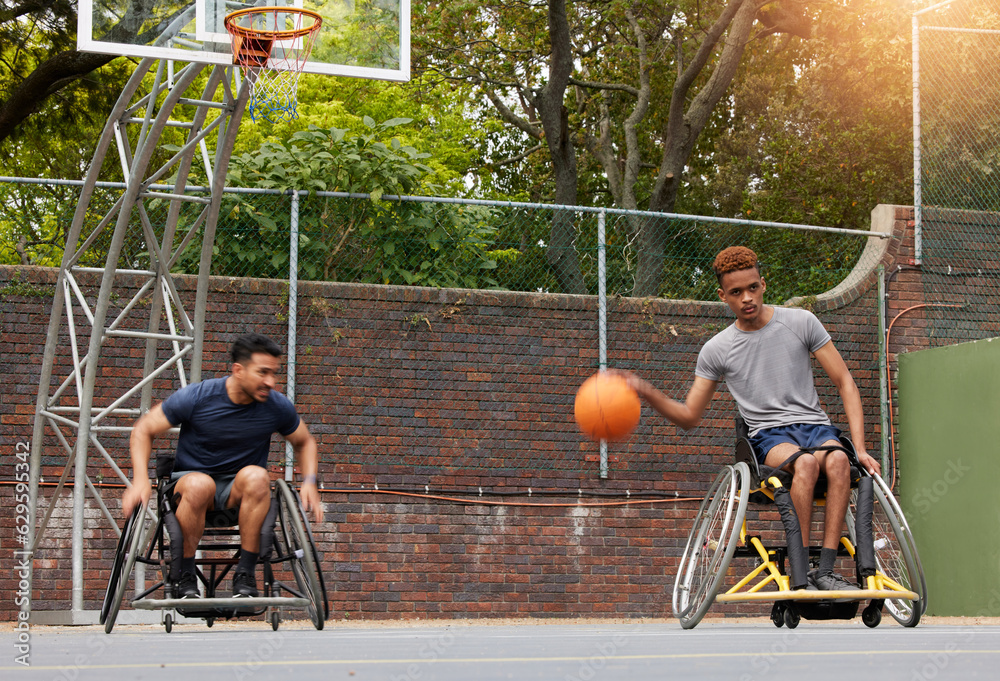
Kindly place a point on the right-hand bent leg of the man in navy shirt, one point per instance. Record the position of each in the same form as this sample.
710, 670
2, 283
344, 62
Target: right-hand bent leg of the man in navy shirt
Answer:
251, 491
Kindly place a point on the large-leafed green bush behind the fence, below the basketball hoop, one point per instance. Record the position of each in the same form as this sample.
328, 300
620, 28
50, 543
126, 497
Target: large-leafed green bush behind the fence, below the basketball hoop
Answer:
375, 240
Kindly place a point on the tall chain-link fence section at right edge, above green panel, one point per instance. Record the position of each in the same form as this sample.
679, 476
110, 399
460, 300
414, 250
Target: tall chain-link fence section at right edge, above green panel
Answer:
957, 173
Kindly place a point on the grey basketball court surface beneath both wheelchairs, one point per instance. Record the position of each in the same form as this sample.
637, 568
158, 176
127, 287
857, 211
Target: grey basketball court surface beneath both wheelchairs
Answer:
459, 651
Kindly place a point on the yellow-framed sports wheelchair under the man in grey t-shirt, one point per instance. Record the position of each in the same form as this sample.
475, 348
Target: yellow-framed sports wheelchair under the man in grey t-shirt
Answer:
878, 540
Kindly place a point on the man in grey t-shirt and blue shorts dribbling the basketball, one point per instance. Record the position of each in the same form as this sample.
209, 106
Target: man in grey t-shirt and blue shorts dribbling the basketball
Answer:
764, 358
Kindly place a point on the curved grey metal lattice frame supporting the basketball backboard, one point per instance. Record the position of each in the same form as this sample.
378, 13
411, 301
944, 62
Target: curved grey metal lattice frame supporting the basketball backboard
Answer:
155, 100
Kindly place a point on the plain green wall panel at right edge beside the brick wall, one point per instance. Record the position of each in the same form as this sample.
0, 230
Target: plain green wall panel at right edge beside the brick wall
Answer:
949, 461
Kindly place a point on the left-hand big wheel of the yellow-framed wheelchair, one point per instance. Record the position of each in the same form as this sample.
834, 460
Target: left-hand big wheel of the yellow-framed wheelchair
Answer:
711, 544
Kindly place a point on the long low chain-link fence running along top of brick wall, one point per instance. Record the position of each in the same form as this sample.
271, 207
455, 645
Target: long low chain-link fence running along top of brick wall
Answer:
447, 243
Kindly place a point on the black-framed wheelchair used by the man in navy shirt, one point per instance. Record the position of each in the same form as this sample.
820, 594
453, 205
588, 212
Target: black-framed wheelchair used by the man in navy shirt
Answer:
288, 558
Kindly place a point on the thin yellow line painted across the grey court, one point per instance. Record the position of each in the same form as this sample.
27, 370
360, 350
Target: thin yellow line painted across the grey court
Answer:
468, 660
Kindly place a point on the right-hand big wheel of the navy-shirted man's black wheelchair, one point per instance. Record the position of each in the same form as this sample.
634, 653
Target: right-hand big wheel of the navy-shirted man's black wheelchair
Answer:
297, 542
